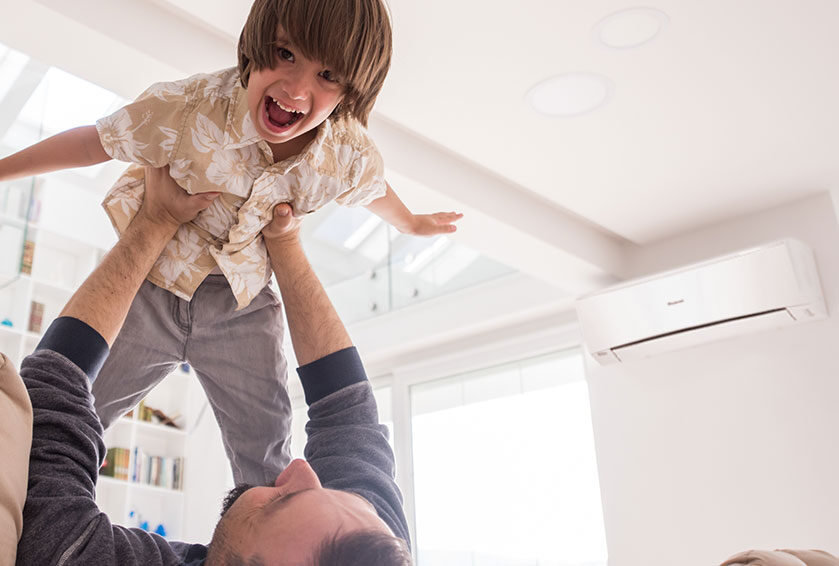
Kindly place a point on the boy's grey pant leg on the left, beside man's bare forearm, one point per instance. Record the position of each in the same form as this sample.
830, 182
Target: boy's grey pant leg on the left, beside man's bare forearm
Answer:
148, 347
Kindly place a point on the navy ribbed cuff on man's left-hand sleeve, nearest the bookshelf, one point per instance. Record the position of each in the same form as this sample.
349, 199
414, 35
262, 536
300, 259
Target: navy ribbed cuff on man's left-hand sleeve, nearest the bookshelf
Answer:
77, 342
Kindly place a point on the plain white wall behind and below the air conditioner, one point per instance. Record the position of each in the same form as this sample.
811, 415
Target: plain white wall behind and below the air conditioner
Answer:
727, 446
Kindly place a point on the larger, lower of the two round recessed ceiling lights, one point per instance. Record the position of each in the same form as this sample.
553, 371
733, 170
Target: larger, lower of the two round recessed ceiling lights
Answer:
571, 94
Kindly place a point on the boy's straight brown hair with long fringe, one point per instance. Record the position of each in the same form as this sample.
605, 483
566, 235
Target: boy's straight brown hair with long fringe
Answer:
352, 38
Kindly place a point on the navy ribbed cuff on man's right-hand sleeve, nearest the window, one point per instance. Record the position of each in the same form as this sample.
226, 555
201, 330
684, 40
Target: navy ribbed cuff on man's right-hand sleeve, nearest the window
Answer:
331, 373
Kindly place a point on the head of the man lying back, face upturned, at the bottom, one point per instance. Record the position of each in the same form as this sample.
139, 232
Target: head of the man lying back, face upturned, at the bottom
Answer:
298, 522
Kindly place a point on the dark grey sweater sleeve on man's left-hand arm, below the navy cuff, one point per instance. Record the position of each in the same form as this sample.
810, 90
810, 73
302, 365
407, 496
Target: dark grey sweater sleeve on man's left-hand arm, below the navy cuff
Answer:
61, 522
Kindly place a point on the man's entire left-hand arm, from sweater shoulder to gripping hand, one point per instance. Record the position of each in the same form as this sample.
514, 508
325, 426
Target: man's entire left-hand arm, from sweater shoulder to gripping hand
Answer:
61, 521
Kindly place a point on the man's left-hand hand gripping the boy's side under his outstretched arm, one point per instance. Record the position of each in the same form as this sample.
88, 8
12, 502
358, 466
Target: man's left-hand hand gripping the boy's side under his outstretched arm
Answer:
166, 202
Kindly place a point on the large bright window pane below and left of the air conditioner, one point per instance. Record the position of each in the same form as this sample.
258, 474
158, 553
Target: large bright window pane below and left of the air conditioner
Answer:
504, 467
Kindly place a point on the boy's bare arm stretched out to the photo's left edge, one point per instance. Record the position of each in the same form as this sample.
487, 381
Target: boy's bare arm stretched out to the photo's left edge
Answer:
78, 147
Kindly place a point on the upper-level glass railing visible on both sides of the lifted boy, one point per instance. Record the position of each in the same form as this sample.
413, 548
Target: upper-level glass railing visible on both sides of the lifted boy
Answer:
367, 267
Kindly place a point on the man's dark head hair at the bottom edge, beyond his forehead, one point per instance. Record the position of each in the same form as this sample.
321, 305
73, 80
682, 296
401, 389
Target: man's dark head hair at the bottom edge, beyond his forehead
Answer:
363, 548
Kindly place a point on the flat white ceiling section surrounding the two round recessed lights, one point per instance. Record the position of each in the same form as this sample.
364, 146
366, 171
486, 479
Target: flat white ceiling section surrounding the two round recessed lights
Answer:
731, 109
